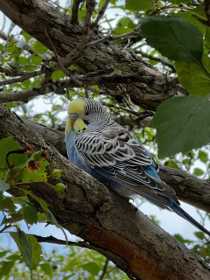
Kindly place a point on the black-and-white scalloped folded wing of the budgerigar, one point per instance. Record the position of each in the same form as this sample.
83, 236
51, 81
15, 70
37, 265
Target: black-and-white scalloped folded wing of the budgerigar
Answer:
117, 155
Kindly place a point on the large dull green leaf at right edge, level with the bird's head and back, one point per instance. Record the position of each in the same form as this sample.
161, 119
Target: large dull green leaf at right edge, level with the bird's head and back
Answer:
182, 123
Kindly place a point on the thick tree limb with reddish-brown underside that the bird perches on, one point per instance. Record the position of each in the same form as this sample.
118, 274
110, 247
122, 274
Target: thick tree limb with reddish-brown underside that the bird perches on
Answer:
89, 210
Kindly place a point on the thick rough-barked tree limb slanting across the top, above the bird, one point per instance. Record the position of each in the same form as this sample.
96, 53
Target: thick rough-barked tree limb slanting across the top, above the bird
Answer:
40, 18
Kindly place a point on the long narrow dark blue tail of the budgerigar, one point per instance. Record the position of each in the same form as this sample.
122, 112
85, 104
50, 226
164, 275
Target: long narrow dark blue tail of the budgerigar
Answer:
178, 210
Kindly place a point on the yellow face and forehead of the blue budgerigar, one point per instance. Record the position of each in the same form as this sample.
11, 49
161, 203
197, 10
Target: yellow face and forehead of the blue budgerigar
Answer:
76, 113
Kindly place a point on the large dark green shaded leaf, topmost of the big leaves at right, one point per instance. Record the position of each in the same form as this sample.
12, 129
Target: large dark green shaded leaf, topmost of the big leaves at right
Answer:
173, 37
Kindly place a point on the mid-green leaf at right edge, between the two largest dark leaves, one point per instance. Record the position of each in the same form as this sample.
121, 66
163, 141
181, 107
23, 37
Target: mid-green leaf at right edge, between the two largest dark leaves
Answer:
186, 75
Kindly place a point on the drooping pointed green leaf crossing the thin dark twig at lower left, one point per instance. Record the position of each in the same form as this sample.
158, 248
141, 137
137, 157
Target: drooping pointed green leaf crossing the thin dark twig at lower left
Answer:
29, 248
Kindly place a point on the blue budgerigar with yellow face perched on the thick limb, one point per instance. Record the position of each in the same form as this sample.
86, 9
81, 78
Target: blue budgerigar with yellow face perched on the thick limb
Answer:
97, 144
